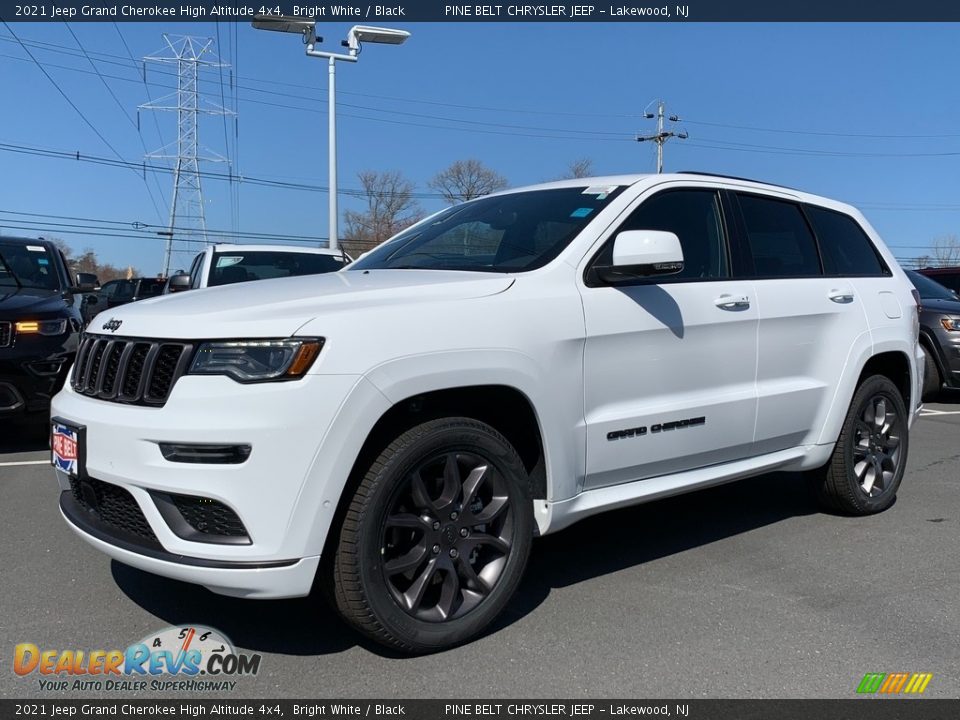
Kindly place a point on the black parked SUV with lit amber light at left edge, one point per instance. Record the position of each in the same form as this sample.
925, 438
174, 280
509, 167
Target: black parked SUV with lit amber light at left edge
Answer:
40, 322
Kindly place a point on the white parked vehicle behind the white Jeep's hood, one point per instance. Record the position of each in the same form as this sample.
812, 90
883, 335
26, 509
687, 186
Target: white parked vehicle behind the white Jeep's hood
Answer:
228, 264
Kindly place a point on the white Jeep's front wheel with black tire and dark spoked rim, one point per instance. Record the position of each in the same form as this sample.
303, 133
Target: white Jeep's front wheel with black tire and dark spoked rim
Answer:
436, 537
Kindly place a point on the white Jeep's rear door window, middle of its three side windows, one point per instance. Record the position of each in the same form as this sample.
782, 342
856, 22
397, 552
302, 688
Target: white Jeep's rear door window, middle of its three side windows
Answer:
780, 240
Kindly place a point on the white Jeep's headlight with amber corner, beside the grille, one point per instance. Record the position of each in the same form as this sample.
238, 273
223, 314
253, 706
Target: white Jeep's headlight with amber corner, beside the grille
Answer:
257, 360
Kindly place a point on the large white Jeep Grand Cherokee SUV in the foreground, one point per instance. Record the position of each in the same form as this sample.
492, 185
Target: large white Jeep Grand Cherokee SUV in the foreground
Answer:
403, 429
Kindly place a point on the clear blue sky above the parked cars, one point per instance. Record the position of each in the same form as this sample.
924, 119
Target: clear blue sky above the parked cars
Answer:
866, 113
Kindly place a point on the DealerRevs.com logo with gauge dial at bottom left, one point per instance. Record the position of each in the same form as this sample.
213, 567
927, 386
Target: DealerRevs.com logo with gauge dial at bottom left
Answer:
190, 658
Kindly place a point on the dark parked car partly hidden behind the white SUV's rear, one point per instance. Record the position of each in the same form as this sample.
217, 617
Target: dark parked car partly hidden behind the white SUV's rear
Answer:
939, 333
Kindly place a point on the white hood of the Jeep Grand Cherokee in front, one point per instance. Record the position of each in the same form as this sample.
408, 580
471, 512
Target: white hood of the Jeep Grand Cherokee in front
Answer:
265, 308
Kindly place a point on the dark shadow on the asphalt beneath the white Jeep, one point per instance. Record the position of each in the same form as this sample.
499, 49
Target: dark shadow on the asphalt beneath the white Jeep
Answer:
592, 548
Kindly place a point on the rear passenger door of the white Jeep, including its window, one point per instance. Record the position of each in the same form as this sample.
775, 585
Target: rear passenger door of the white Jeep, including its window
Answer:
809, 322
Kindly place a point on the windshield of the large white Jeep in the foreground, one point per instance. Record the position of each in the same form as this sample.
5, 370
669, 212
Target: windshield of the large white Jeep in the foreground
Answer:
505, 233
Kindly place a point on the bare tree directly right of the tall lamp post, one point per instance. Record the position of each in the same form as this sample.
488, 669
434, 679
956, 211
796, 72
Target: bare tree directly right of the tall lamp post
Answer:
390, 208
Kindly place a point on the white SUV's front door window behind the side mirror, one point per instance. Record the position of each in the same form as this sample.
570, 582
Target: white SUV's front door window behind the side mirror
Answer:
694, 217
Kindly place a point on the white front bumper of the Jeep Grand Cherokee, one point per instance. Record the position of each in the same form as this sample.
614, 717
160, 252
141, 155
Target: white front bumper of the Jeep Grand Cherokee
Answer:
281, 493
